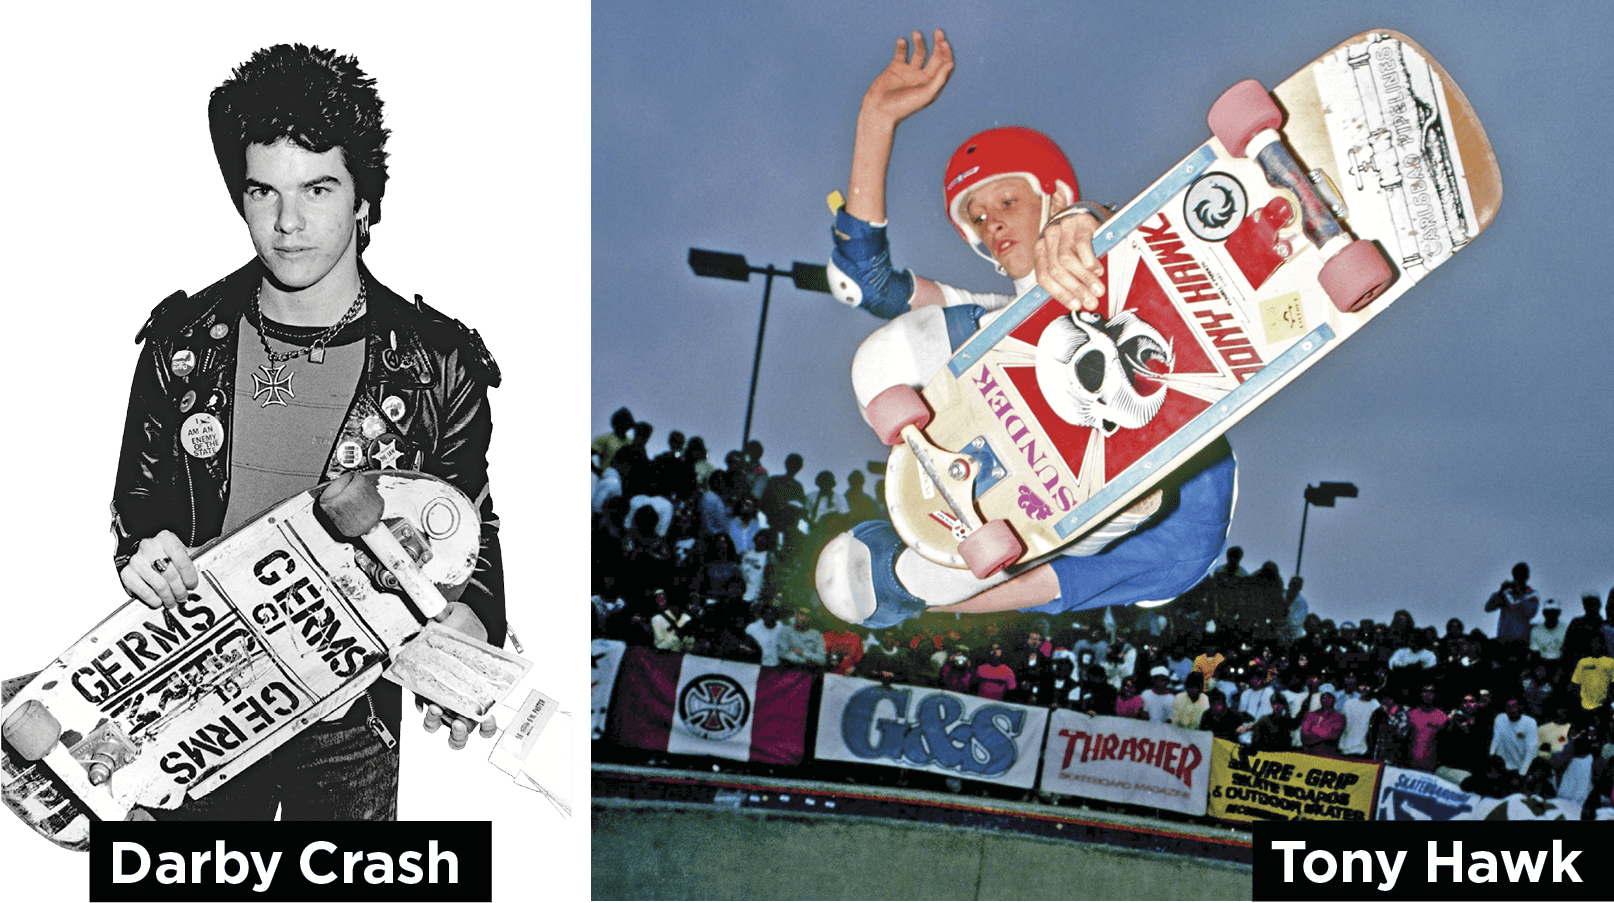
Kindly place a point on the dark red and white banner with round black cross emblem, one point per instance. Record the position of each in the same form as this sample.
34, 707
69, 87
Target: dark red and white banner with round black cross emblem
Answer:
700, 707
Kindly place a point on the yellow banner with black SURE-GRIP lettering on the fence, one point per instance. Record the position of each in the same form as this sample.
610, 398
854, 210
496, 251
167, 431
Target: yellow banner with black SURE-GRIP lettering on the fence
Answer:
1248, 786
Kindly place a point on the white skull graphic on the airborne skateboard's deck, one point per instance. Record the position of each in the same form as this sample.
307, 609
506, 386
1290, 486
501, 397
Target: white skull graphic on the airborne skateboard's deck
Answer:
1089, 369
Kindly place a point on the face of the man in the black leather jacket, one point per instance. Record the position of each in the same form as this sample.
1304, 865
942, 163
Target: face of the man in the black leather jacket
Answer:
299, 209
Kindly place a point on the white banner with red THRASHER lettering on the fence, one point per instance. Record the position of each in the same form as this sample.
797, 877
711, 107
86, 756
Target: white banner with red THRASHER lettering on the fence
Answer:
1127, 762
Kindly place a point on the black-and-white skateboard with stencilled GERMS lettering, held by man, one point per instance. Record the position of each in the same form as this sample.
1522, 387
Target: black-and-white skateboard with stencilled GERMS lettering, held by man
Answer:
288, 624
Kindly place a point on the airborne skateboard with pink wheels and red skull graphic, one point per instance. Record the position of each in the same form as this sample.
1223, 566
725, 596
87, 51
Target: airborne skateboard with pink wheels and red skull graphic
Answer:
1308, 212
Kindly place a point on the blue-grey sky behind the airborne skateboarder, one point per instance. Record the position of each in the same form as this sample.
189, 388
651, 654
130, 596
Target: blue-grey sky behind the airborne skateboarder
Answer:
1476, 416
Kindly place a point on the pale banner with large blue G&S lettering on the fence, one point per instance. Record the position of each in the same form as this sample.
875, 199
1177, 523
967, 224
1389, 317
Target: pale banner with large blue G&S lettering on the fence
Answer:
918, 728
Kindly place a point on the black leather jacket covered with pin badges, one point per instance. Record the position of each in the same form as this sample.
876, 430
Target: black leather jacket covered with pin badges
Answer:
186, 374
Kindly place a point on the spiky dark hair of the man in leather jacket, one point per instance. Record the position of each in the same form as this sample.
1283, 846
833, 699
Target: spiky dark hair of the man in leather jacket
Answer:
316, 98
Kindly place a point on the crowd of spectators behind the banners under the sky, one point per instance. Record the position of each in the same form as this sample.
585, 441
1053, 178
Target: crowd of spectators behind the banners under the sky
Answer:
719, 563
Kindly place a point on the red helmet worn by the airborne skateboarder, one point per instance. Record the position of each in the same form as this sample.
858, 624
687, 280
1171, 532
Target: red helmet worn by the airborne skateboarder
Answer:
997, 154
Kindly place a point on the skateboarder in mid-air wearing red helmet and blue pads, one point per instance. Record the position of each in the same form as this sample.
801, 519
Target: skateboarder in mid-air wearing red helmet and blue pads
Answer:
1014, 198
